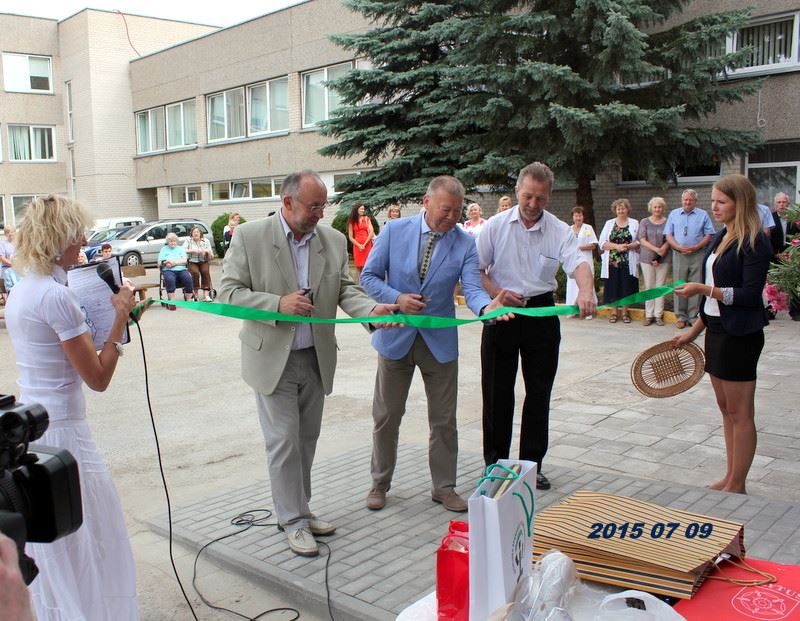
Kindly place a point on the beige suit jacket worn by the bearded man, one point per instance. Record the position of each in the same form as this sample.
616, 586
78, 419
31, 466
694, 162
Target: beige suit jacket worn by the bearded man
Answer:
258, 270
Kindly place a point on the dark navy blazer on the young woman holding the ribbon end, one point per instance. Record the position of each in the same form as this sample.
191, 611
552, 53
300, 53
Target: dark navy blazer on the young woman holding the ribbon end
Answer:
746, 272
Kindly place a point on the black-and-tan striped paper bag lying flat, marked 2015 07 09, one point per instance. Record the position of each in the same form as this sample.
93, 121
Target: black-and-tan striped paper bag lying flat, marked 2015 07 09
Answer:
636, 544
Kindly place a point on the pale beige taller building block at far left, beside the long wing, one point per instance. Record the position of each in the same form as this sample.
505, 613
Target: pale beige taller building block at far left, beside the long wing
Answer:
65, 108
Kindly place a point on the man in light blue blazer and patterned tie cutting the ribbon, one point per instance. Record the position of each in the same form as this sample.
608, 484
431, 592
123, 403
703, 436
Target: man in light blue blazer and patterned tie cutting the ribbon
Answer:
416, 263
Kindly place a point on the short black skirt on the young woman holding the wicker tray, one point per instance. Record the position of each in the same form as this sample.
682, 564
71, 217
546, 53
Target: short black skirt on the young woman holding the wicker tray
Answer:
732, 358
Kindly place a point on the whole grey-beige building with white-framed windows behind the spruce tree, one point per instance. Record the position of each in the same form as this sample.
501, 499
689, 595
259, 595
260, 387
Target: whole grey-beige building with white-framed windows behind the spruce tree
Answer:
151, 117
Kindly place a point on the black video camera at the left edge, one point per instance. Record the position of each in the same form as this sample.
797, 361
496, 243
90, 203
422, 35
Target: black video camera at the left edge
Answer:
40, 495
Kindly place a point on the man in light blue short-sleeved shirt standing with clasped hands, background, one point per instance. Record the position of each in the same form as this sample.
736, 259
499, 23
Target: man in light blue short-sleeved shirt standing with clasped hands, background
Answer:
688, 231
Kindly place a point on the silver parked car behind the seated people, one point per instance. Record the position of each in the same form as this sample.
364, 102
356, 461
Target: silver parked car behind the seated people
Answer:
141, 244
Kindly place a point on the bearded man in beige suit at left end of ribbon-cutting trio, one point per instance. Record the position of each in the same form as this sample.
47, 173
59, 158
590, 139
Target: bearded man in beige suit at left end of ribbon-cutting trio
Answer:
287, 263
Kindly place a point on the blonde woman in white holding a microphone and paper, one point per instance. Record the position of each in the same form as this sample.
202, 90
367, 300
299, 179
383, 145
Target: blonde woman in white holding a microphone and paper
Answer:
88, 575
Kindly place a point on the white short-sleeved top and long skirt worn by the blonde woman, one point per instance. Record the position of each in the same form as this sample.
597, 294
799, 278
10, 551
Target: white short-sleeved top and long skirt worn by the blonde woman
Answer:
88, 575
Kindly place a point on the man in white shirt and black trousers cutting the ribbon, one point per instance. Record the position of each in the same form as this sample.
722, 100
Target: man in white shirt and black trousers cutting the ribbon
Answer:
519, 251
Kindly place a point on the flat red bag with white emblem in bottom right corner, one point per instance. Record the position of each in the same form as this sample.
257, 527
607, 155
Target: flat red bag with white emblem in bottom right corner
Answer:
718, 600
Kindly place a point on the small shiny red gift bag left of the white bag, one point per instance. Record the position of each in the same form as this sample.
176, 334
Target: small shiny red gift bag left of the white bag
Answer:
452, 577
